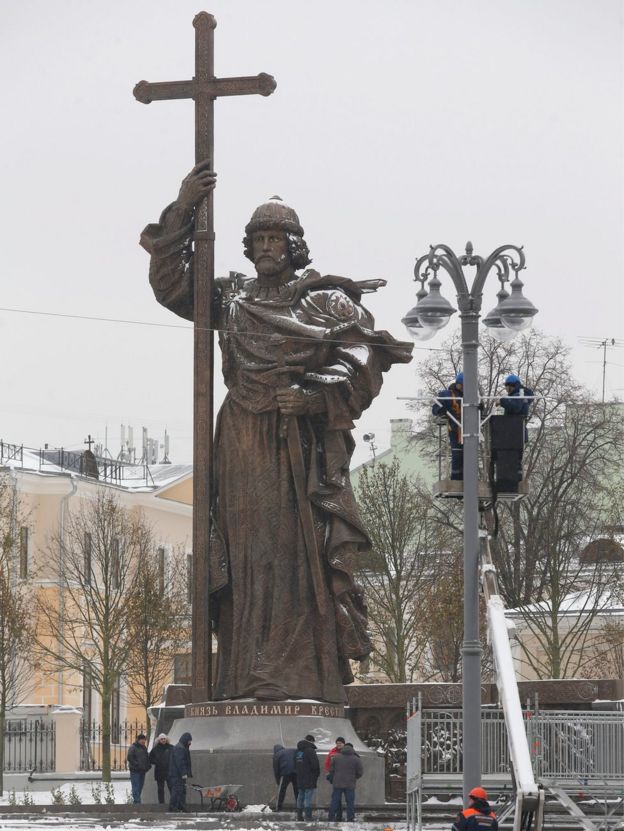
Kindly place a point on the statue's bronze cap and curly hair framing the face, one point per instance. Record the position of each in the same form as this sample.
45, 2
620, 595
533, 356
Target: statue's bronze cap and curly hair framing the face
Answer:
275, 216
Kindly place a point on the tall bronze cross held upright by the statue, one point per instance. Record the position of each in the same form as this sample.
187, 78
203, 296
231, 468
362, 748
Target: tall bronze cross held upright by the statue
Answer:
203, 89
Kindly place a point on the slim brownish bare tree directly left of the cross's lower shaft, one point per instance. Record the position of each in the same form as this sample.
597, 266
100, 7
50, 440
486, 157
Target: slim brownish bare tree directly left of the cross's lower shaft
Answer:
159, 623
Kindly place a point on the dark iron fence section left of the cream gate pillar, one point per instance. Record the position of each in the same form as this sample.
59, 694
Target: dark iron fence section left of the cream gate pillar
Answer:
29, 745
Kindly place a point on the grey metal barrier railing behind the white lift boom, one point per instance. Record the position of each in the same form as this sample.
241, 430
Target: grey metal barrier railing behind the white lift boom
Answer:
564, 745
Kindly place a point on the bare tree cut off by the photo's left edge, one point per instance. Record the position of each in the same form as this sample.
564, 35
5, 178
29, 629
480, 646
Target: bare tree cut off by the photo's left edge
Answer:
15, 610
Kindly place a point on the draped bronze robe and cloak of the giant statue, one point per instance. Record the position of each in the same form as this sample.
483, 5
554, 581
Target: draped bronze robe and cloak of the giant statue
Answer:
313, 332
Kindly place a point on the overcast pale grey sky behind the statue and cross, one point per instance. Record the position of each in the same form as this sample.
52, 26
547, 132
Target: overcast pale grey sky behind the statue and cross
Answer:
394, 125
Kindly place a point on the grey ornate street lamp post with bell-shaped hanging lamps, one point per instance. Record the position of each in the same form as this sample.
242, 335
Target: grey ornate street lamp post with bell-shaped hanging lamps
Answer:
513, 314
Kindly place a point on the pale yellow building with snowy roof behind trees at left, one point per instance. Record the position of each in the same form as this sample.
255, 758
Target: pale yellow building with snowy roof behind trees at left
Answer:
50, 485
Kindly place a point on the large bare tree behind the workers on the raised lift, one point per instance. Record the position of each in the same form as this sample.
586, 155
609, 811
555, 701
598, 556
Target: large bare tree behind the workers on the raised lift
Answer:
573, 463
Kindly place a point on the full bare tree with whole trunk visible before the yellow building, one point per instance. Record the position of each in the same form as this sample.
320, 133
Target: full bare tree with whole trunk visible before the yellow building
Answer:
90, 632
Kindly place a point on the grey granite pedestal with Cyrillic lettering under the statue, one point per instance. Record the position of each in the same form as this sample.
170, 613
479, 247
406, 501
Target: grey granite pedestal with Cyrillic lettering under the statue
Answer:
233, 744
